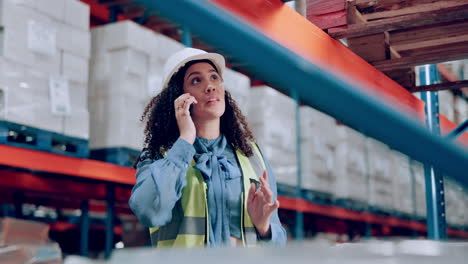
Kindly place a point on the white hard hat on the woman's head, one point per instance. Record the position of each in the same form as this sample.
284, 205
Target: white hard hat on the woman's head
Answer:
180, 58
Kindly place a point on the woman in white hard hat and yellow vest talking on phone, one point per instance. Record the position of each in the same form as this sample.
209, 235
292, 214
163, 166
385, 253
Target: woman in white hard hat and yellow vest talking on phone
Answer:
199, 157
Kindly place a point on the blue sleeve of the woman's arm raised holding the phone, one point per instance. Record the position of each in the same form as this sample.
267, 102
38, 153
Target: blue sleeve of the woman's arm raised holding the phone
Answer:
159, 184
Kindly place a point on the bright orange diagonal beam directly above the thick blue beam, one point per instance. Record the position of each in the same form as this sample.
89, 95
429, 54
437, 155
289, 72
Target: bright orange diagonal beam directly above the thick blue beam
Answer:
274, 19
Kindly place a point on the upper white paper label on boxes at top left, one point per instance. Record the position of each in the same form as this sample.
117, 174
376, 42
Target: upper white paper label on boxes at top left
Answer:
41, 38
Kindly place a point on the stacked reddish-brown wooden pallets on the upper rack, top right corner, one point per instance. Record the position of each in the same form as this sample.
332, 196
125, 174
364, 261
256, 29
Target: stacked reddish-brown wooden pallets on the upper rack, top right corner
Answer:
396, 35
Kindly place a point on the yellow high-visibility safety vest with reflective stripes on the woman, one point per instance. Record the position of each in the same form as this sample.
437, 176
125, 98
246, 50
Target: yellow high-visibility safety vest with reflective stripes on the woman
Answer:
188, 226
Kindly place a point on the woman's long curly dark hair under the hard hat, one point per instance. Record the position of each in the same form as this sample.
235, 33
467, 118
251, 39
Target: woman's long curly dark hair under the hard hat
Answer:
161, 130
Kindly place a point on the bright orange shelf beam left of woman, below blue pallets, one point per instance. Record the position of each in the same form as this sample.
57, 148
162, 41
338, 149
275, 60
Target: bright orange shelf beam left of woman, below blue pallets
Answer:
52, 163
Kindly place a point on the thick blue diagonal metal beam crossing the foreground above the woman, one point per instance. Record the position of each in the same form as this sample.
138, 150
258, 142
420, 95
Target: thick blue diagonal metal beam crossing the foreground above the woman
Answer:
334, 94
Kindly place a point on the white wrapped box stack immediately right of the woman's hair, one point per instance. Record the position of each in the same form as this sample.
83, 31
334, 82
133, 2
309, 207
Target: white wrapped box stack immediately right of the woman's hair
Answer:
271, 117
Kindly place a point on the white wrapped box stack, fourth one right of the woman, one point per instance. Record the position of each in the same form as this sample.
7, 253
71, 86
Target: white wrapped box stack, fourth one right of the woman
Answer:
380, 180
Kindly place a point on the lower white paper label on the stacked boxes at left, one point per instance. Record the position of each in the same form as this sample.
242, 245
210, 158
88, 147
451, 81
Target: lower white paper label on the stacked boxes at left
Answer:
59, 95
